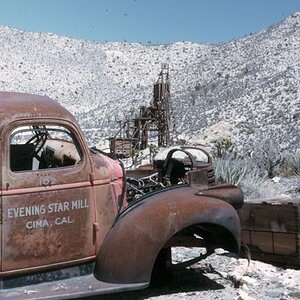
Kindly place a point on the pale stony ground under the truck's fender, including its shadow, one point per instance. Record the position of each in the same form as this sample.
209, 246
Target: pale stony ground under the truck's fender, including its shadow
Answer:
222, 276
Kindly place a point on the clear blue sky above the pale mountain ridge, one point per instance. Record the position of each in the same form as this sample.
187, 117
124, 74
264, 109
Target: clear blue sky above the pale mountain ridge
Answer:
146, 21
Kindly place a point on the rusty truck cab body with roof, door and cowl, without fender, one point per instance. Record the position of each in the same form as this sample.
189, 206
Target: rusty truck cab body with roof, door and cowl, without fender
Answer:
52, 217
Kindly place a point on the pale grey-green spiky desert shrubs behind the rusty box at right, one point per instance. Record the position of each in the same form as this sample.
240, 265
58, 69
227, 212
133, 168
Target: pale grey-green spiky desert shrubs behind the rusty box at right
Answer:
254, 174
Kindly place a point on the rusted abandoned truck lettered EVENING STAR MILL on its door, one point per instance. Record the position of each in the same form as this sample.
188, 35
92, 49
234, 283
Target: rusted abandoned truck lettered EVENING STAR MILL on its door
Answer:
64, 206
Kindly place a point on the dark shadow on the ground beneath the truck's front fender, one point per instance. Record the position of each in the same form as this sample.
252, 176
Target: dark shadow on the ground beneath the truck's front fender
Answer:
184, 281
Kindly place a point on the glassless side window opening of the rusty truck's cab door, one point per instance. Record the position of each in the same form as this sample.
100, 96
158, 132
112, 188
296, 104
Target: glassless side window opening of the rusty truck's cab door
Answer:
42, 147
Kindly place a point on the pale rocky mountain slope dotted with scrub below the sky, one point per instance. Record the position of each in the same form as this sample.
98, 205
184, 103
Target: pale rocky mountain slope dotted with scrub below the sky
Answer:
246, 90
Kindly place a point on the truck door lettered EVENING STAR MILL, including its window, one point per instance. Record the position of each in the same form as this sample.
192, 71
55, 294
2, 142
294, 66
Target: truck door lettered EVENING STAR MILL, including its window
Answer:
47, 197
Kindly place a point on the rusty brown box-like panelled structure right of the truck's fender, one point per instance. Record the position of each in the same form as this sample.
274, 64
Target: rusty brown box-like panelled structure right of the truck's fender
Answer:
271, 229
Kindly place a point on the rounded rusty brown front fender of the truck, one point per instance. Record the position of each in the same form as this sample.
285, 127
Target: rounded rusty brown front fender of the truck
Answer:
130, 248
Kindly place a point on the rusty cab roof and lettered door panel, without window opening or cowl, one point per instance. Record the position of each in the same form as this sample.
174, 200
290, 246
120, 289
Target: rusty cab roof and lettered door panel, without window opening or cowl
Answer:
39, 219
